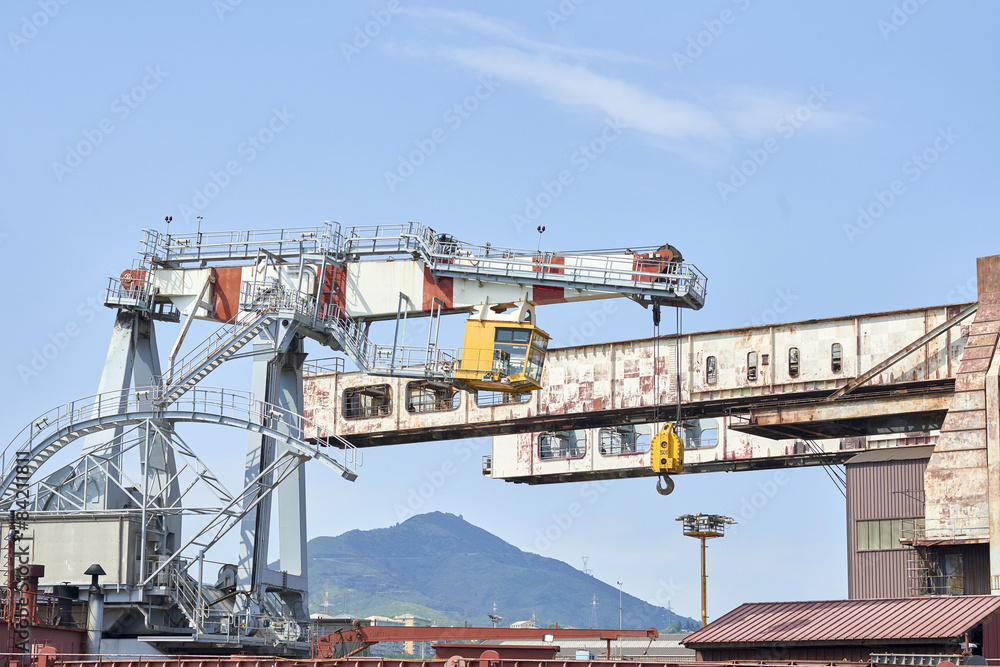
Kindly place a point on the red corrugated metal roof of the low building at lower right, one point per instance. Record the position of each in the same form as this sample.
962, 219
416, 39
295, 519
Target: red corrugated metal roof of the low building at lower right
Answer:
848, 620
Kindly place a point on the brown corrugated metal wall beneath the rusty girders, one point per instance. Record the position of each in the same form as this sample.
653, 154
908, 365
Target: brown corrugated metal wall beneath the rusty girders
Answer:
881, 490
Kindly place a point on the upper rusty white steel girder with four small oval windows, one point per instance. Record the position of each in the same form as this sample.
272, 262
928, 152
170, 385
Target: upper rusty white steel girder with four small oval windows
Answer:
594, 385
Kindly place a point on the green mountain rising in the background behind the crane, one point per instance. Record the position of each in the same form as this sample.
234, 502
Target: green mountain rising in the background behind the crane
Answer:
441, 567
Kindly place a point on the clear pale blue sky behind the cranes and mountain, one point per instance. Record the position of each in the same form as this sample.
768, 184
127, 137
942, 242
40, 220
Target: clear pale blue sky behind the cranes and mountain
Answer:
837, 158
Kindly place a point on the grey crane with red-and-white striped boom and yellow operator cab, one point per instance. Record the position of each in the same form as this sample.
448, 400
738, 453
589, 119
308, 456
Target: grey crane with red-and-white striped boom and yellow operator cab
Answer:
270, 290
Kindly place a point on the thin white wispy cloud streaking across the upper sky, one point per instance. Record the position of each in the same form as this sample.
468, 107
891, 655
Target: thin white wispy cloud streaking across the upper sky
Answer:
699, 124
